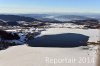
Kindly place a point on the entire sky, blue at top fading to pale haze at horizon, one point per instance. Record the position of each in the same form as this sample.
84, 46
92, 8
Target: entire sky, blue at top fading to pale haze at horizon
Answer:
49, 6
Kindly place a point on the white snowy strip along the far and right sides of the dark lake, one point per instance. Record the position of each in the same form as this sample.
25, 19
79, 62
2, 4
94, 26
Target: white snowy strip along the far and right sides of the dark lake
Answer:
92, 33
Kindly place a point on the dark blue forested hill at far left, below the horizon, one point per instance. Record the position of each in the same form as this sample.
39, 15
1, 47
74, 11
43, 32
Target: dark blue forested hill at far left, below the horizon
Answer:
12, 19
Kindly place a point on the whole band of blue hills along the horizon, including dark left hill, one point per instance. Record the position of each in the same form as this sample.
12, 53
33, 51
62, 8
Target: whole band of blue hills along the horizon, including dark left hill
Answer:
53, 18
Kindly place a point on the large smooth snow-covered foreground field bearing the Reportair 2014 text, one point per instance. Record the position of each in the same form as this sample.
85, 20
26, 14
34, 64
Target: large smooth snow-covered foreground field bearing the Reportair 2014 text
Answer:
36, 56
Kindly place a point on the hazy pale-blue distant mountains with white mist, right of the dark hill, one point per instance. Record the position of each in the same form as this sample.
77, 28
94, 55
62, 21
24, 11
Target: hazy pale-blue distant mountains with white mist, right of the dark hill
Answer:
59, 17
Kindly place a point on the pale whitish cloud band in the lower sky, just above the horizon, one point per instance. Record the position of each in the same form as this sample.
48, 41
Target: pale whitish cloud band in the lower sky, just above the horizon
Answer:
47, 10
